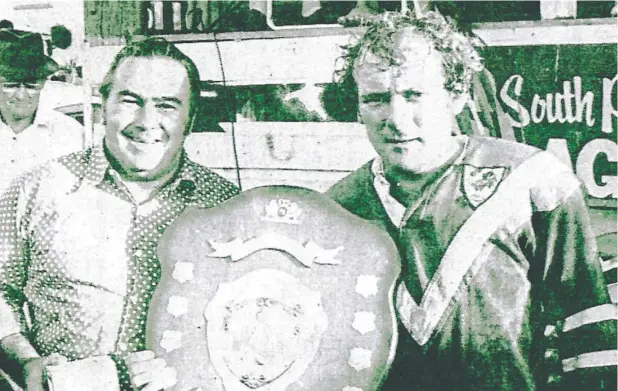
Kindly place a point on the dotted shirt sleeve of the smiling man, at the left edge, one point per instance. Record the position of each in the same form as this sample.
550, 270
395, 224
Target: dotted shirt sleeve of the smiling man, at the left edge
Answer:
13, 261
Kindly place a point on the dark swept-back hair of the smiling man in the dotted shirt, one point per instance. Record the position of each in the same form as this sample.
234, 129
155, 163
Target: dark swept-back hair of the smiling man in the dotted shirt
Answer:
157, 47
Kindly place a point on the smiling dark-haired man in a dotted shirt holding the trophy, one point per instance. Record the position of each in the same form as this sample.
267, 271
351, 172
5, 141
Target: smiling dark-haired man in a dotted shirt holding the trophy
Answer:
78, 236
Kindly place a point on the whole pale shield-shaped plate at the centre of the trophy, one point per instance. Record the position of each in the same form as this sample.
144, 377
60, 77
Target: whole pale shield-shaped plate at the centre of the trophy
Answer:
263, 330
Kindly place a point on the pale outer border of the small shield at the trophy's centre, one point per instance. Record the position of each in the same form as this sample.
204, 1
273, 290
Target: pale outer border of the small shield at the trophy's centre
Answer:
253, 287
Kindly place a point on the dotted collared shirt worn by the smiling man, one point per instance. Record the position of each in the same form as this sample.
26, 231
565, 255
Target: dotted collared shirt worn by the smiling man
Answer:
78, 262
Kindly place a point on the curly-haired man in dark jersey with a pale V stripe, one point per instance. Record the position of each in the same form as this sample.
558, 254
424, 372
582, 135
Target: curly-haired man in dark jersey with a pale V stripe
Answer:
500, 275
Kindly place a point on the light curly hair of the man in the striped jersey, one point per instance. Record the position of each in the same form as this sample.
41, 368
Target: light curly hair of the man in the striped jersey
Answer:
460, 59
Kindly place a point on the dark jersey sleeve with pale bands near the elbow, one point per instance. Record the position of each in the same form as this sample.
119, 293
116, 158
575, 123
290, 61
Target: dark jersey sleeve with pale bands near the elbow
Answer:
576, 297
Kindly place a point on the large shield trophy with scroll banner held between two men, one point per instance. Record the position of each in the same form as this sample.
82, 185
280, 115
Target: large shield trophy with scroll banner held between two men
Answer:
277, 289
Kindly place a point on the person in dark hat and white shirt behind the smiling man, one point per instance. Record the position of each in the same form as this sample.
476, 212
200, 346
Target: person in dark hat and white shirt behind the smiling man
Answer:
29, 134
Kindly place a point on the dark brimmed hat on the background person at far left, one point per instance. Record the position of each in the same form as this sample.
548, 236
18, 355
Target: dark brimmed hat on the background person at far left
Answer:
22, 56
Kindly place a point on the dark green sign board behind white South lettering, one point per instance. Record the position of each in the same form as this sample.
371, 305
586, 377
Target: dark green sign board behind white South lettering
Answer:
544, 70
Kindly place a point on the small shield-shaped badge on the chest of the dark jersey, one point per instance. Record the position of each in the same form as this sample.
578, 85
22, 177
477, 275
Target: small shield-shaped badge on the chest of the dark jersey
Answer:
480, 183
